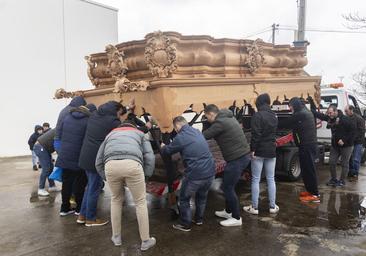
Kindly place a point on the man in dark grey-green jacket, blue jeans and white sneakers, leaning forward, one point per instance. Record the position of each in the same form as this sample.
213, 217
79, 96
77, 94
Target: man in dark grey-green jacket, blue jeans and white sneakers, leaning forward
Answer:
227, 132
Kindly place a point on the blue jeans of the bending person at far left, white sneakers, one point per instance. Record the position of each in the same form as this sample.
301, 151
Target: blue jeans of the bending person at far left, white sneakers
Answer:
45, 159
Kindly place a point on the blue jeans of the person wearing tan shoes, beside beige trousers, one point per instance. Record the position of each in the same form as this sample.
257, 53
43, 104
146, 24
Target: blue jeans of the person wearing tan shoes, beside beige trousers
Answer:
90, 199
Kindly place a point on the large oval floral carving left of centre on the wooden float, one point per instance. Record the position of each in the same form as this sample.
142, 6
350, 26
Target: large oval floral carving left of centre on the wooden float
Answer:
160, 55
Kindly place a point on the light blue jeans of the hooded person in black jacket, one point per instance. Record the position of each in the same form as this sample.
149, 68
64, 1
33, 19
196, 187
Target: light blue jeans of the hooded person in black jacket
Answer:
269, 165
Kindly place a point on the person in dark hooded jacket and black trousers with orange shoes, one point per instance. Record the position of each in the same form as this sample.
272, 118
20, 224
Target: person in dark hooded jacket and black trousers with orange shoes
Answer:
302, 123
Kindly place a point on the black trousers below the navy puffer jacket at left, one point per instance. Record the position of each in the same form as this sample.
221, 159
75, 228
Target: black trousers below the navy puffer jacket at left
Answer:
73, 182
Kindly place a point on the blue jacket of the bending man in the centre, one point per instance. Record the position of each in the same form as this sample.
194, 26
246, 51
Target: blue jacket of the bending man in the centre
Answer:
197, 158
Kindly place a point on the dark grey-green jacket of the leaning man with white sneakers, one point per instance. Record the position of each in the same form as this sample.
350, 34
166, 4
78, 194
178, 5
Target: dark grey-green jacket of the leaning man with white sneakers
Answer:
229, 135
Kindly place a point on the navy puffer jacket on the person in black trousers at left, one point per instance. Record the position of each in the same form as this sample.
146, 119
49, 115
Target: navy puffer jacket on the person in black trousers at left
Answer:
72, 135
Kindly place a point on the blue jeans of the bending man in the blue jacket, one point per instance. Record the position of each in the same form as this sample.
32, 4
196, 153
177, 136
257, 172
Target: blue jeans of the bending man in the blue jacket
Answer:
200, 189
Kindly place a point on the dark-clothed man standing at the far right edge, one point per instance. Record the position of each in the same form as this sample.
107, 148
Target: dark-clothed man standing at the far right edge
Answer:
359, 142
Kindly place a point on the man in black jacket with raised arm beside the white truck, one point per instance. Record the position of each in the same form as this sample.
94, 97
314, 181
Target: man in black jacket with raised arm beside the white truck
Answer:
343, 136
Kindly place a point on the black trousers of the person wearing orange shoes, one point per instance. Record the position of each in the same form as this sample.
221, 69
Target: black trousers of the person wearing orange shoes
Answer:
307, 155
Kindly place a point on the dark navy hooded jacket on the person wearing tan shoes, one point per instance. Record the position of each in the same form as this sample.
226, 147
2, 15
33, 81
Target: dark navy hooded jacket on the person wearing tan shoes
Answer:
100, 124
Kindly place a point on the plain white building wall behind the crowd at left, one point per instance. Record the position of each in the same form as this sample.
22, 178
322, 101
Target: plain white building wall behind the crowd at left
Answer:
37, 37
